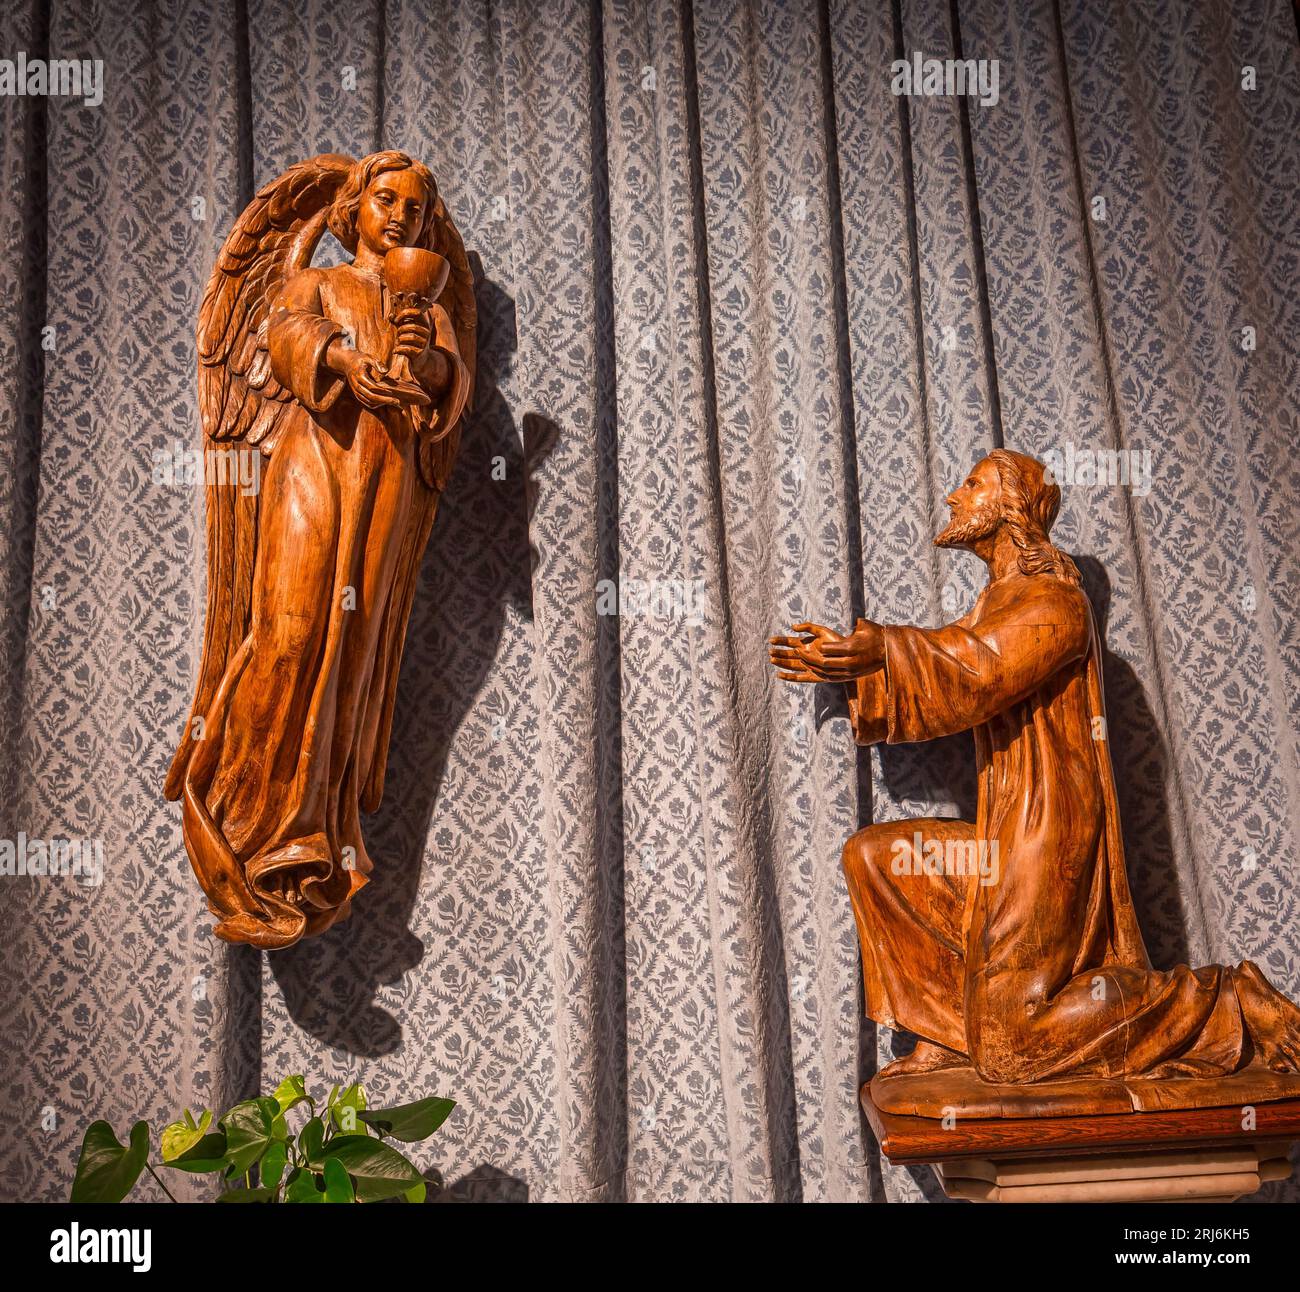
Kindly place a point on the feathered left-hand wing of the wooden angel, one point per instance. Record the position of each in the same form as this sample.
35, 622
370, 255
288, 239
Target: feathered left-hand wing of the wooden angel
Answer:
241, 402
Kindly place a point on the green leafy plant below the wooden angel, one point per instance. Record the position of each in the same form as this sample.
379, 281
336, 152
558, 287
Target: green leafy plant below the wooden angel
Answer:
339, 1155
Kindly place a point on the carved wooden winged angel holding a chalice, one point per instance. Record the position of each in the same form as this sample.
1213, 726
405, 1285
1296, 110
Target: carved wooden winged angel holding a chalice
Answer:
352, 383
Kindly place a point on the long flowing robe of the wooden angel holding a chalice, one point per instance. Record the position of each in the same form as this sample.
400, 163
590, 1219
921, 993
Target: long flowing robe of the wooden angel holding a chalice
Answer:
297, 716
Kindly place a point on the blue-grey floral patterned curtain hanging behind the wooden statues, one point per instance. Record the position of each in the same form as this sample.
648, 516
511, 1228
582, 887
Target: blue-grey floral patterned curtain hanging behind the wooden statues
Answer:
747, 317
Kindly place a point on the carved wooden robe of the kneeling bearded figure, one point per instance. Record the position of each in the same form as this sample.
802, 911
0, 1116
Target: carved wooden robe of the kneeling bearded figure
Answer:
1034, 969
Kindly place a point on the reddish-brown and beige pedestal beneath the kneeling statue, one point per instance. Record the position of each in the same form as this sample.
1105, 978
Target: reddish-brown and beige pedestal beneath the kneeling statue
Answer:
1195, 1155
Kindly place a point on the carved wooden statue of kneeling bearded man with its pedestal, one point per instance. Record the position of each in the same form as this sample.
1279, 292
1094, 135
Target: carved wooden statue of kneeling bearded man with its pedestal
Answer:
1043, 1026
